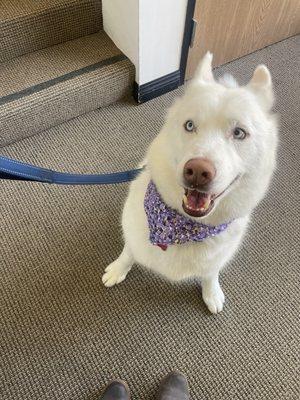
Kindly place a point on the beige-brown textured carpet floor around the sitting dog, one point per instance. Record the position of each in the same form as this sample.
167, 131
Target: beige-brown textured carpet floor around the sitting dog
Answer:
63, 335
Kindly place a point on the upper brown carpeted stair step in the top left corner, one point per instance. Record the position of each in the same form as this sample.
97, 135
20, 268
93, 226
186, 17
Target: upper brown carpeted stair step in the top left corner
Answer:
30, 25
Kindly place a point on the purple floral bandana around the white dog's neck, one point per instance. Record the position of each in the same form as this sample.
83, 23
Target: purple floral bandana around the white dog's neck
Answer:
168, 227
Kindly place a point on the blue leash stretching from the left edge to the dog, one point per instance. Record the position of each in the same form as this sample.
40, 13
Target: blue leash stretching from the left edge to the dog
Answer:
17, 170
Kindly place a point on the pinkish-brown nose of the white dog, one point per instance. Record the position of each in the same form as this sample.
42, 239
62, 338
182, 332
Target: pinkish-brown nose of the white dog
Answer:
198, 172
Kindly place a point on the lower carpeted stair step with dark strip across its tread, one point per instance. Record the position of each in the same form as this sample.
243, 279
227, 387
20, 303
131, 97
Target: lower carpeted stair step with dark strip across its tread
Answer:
50, 86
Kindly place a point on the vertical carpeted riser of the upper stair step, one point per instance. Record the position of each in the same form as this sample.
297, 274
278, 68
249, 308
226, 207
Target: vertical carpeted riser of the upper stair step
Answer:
30, 33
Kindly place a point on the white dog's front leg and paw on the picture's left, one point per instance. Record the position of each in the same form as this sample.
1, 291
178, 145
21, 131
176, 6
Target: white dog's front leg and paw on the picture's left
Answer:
116, 272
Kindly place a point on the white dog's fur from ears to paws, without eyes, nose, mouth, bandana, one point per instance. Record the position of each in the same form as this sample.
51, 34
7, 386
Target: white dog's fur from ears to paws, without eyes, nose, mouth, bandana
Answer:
215, 108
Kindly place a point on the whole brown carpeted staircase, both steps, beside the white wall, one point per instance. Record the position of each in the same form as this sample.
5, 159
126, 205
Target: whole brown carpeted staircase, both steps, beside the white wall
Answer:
56, 63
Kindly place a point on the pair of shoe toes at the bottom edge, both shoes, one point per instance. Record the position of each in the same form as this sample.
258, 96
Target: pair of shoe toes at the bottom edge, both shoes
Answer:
173, 387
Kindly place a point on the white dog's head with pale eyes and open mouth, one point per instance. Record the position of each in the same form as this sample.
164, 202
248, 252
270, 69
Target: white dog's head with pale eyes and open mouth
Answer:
217, 145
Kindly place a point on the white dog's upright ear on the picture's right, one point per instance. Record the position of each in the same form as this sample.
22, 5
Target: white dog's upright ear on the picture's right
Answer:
261, 85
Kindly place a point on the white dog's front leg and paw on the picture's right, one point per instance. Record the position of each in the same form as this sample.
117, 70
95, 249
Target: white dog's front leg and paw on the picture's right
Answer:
212, 293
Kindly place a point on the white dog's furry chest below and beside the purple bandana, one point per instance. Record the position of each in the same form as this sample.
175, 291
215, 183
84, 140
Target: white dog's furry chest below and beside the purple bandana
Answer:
177, 261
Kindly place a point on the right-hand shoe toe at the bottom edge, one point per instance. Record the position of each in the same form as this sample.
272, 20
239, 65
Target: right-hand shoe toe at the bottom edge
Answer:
174, 387
